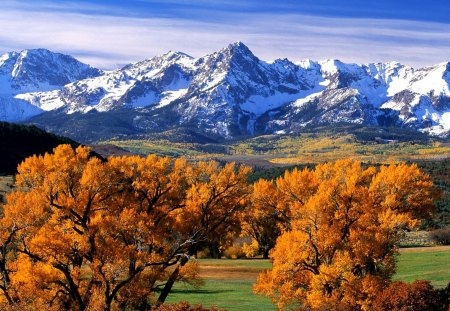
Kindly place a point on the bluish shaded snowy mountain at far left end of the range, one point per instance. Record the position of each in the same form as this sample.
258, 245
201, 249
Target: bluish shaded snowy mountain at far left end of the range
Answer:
36, 70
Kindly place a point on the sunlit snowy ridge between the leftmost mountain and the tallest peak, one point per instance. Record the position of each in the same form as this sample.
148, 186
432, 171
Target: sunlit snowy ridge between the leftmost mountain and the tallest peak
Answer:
156, 81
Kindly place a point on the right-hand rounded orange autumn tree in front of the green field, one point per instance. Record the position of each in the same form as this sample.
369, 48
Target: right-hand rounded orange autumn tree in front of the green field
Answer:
345, 225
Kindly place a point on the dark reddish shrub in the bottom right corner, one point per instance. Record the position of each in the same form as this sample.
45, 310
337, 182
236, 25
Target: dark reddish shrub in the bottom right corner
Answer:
417, 296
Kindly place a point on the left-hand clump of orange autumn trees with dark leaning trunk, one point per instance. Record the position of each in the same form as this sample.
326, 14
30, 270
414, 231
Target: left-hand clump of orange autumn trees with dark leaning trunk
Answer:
82, 234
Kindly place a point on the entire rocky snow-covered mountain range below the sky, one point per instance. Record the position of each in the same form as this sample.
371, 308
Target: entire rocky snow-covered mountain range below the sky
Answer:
227, 94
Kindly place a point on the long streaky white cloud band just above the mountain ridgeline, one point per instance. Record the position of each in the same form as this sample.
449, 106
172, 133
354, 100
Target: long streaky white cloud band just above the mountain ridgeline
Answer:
109, 41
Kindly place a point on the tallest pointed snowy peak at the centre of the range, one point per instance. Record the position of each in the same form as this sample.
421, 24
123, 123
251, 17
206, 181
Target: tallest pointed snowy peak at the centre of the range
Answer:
232, 88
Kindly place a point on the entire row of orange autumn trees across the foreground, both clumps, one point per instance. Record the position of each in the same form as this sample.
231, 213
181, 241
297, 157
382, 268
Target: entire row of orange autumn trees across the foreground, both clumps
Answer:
80, 233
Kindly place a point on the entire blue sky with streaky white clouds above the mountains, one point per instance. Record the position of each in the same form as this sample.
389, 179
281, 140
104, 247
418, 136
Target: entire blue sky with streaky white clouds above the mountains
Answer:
112, 33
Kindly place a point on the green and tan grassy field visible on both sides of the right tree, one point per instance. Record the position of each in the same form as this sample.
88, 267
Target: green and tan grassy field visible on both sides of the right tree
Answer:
228, 283
